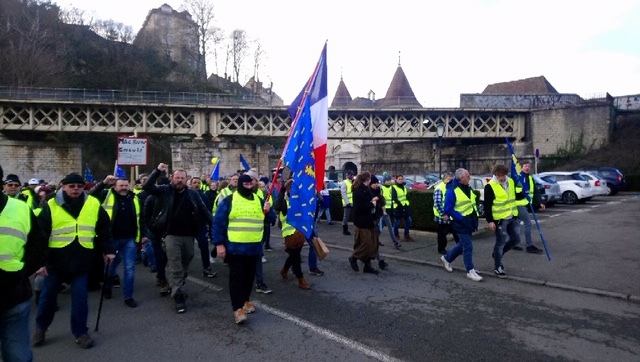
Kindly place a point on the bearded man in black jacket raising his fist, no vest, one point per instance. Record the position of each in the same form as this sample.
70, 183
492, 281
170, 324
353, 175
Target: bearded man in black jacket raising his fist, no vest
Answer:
185, 215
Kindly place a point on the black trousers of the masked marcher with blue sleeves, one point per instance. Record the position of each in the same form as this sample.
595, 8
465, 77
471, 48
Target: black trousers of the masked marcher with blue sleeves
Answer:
242, 271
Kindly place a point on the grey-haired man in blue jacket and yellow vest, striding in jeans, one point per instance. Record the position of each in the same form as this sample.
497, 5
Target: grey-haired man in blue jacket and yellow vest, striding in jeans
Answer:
460, 206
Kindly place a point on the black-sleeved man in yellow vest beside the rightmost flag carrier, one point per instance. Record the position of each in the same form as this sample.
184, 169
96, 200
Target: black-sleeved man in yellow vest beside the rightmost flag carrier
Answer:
502, 215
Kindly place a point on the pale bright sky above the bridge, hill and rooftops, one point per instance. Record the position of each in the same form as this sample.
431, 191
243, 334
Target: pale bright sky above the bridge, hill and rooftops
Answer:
445, 48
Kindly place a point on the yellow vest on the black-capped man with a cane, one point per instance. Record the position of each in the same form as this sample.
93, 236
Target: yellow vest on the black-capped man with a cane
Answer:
64, 228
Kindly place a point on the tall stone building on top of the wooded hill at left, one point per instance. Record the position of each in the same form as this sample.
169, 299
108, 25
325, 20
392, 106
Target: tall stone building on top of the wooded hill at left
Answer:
175, 35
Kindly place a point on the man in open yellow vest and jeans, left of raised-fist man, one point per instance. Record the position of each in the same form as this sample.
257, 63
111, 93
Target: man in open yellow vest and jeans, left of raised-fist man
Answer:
124, 210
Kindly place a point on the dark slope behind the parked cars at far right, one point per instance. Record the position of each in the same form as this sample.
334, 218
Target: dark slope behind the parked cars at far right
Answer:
622, 153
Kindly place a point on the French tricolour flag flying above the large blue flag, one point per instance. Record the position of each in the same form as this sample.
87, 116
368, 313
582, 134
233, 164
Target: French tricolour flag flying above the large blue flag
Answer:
318, 99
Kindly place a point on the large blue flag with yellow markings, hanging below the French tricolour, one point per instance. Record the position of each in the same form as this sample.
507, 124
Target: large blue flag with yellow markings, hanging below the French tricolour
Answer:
299, 157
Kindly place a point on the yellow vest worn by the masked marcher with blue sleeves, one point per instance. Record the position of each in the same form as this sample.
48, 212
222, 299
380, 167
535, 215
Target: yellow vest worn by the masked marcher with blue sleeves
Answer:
246, 220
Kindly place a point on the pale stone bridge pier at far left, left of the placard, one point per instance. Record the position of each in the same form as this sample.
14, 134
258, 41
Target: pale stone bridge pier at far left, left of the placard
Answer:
42, 160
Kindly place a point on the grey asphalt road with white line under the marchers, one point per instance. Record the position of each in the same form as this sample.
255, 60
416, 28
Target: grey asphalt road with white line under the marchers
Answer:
582, 305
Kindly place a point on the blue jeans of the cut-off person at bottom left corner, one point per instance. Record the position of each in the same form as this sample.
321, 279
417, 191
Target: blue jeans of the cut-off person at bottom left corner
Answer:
14, 333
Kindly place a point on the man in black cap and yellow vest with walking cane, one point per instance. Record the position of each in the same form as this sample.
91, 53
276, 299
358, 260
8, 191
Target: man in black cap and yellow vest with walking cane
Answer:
77, 227
